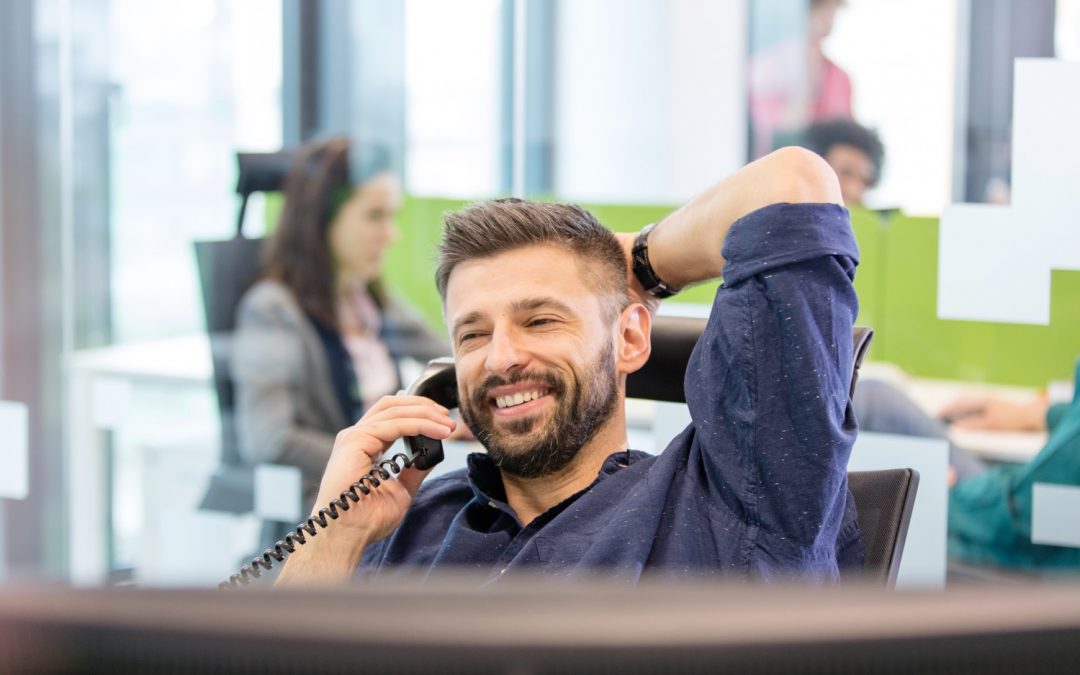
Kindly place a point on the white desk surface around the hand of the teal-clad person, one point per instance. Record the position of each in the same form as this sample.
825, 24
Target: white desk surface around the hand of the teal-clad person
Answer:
934, 395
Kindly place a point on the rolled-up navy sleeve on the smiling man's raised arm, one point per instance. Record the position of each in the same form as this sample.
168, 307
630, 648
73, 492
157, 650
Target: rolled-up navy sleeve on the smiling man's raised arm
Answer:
768, 384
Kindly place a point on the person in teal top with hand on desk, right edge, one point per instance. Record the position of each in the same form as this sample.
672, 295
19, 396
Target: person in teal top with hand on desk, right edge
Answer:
990, 516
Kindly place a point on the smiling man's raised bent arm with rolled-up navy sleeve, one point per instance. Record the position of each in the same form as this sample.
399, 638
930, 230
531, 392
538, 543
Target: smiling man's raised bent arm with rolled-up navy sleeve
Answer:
767, 385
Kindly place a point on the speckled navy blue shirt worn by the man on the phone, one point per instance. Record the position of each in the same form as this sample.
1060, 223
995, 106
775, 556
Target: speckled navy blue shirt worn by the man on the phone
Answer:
755, 488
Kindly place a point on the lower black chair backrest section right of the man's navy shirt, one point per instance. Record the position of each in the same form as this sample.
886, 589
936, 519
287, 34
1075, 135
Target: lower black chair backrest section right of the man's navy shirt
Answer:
885, 502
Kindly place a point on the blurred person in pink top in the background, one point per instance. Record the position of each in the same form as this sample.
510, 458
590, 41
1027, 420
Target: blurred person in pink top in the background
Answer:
794, 85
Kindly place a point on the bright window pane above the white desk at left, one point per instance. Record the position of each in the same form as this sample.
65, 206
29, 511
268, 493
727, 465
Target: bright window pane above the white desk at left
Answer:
192, 83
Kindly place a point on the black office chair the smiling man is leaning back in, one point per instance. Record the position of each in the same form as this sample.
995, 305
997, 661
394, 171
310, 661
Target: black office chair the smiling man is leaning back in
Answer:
885, 499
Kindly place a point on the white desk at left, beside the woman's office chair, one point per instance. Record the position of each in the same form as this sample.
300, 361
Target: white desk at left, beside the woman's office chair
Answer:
101, 388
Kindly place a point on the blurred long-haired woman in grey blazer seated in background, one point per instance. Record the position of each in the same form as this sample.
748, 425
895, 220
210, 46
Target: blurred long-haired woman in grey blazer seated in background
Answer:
319, 339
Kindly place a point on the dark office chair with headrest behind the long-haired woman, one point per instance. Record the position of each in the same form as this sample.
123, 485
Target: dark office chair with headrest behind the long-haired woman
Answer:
227, 269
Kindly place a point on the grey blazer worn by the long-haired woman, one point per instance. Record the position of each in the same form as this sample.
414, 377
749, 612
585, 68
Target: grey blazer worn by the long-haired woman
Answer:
287, 409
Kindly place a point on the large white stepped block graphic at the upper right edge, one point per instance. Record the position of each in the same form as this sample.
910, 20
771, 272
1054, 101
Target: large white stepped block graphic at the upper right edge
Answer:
995, 262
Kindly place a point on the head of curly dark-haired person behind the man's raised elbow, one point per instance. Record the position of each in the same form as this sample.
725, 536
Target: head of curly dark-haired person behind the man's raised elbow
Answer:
854, 152
